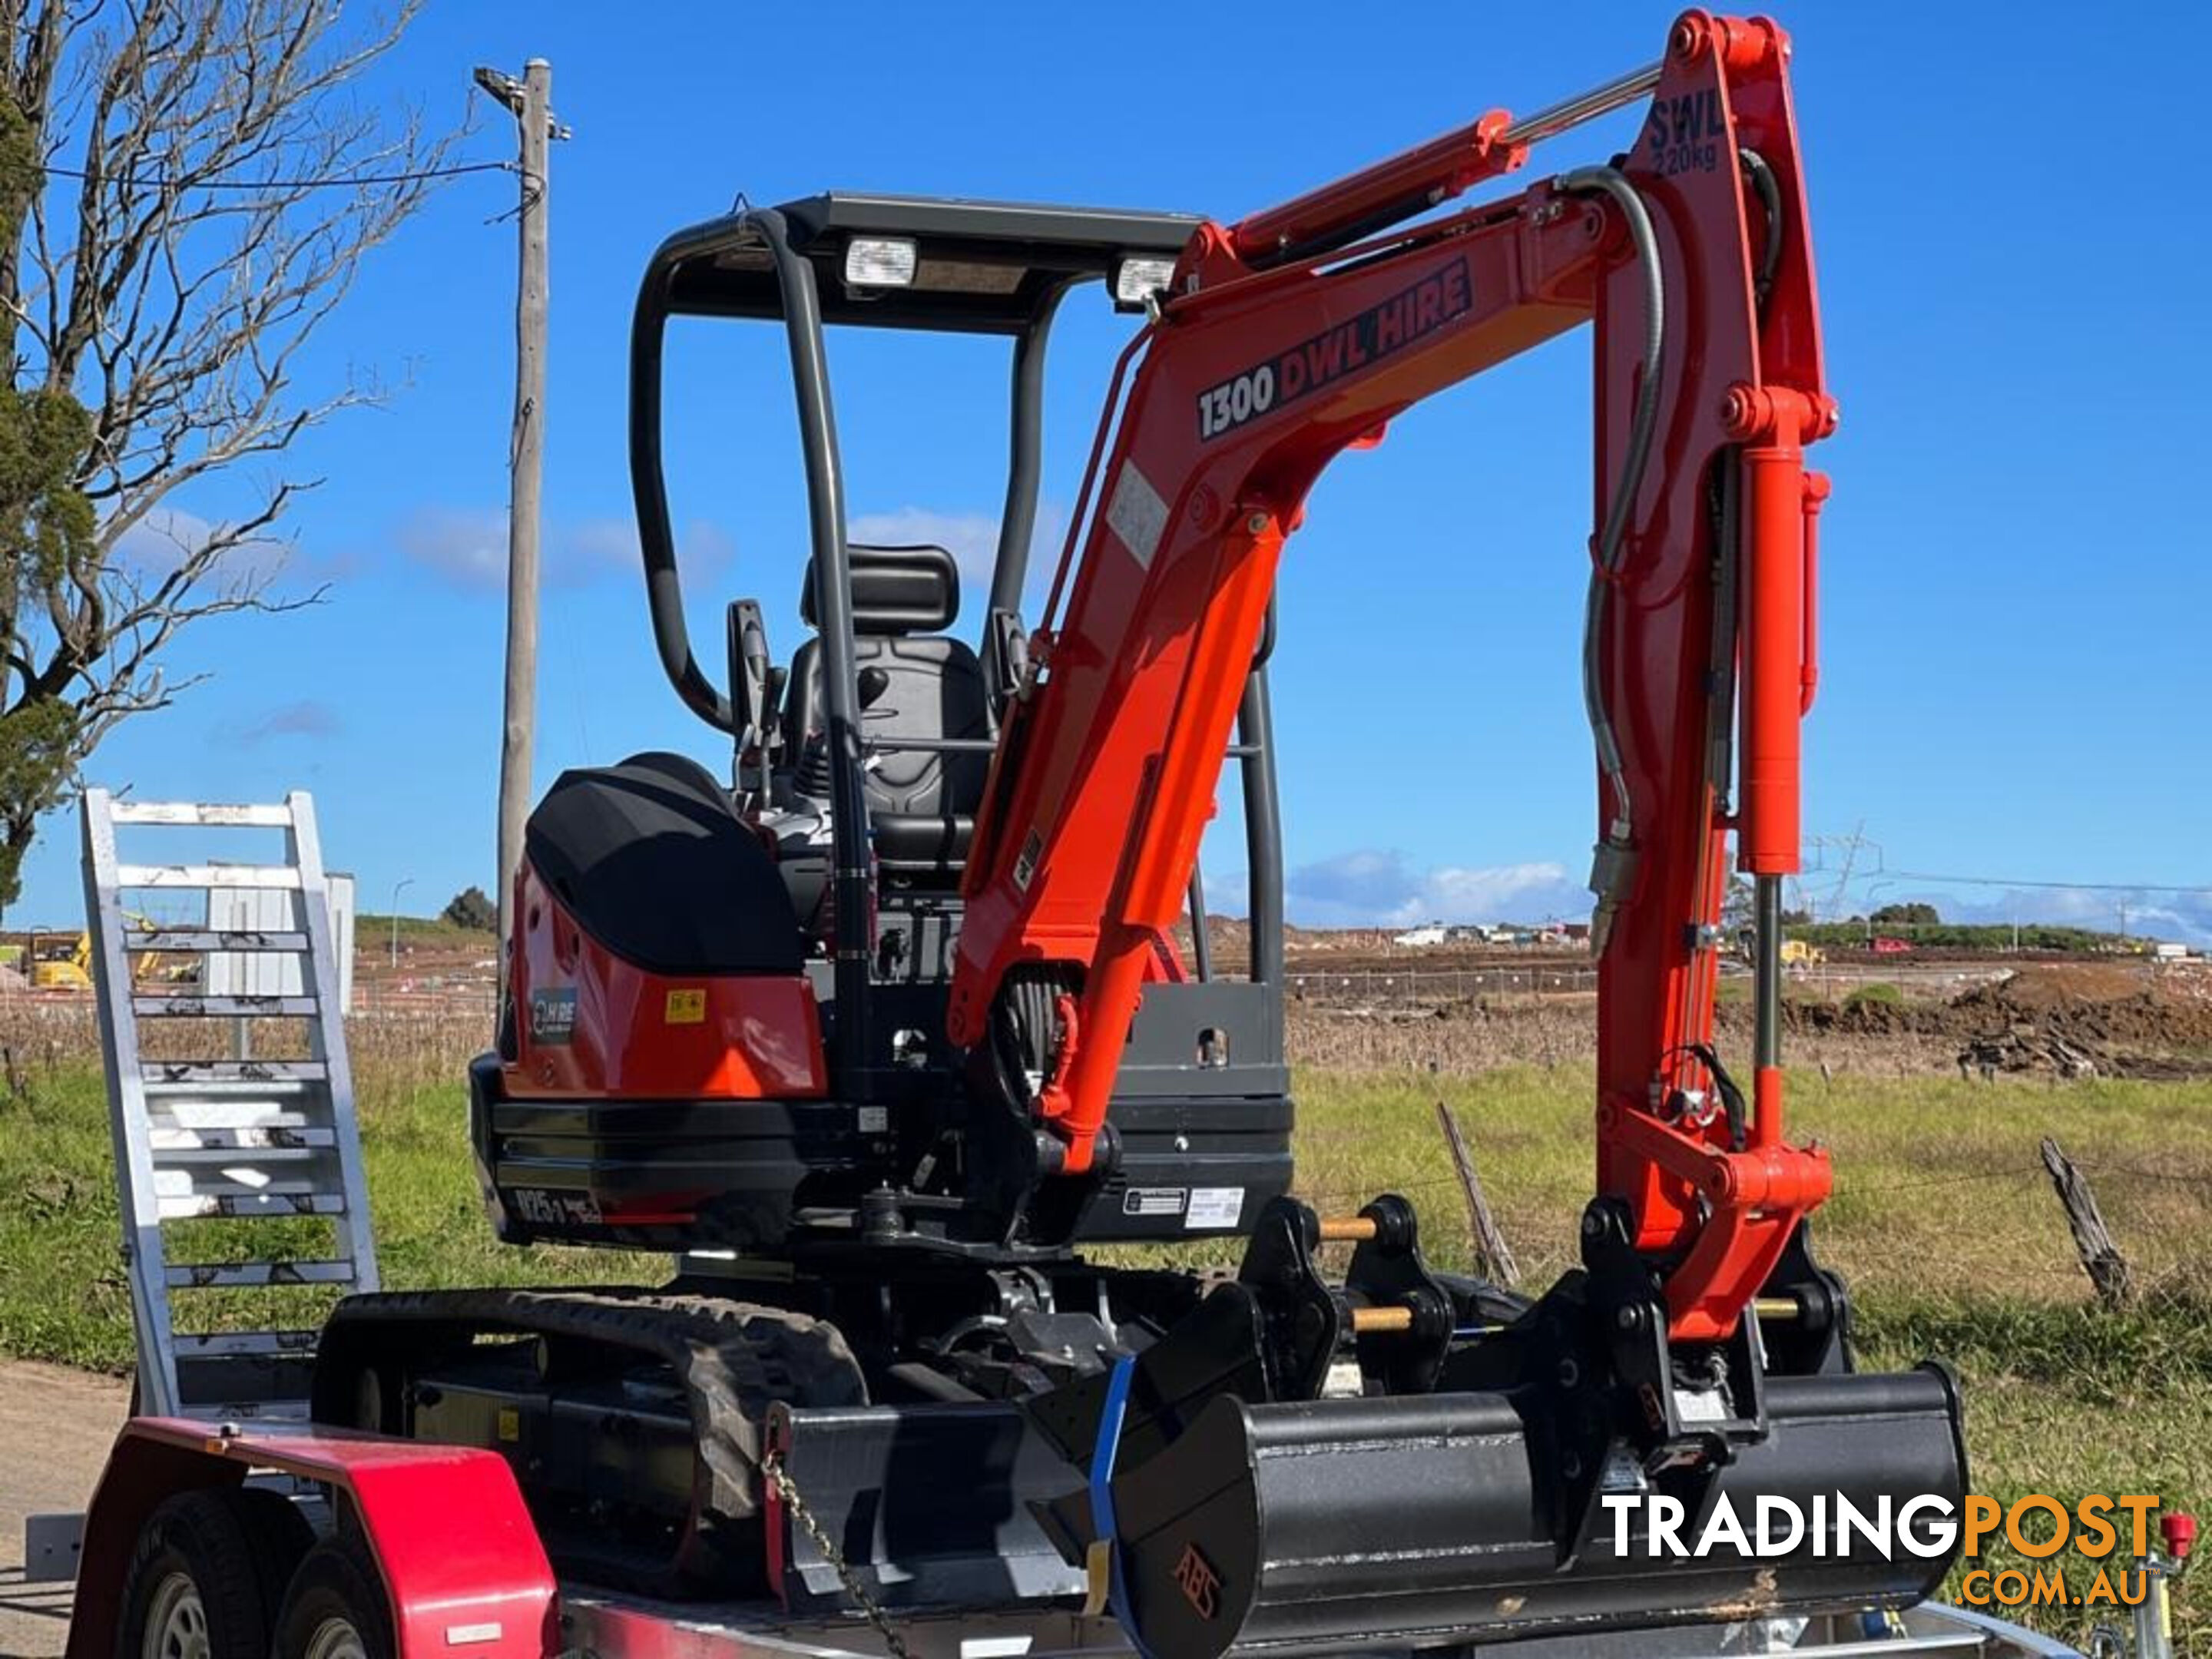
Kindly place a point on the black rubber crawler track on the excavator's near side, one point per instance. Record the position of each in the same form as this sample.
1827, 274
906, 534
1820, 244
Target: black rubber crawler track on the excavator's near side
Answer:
733, 1359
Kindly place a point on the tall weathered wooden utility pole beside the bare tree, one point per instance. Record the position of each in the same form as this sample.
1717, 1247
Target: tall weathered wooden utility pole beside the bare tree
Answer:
530, 101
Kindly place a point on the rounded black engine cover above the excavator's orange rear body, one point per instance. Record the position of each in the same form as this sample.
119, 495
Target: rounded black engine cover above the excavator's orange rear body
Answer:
656, 866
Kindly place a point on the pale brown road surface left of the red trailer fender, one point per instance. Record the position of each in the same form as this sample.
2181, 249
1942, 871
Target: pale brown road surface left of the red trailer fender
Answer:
54, 1437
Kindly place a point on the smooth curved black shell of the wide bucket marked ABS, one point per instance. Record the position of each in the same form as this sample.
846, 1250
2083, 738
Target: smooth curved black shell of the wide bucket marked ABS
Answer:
1430, 1519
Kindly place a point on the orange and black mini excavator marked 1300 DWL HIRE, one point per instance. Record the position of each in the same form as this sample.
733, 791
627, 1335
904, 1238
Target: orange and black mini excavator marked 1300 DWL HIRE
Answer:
881, 1030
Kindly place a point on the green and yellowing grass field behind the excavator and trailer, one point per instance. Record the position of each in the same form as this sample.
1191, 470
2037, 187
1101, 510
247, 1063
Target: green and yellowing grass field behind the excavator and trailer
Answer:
1943, 1224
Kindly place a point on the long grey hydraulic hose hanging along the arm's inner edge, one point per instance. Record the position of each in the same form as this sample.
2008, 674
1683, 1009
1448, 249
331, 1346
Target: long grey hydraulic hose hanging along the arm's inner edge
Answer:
1611, 868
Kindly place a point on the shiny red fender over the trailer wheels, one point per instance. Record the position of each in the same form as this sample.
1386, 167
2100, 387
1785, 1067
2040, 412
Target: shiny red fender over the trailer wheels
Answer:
461, 1561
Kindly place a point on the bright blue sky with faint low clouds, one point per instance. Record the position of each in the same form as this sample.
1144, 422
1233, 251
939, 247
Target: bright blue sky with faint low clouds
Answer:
2018, 576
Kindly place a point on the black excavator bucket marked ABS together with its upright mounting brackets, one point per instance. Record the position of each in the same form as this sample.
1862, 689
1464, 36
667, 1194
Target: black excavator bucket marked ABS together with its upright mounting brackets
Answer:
1284, 1472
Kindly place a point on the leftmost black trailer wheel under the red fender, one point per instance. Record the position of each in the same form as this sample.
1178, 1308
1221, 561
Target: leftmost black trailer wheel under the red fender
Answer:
196, 1587
